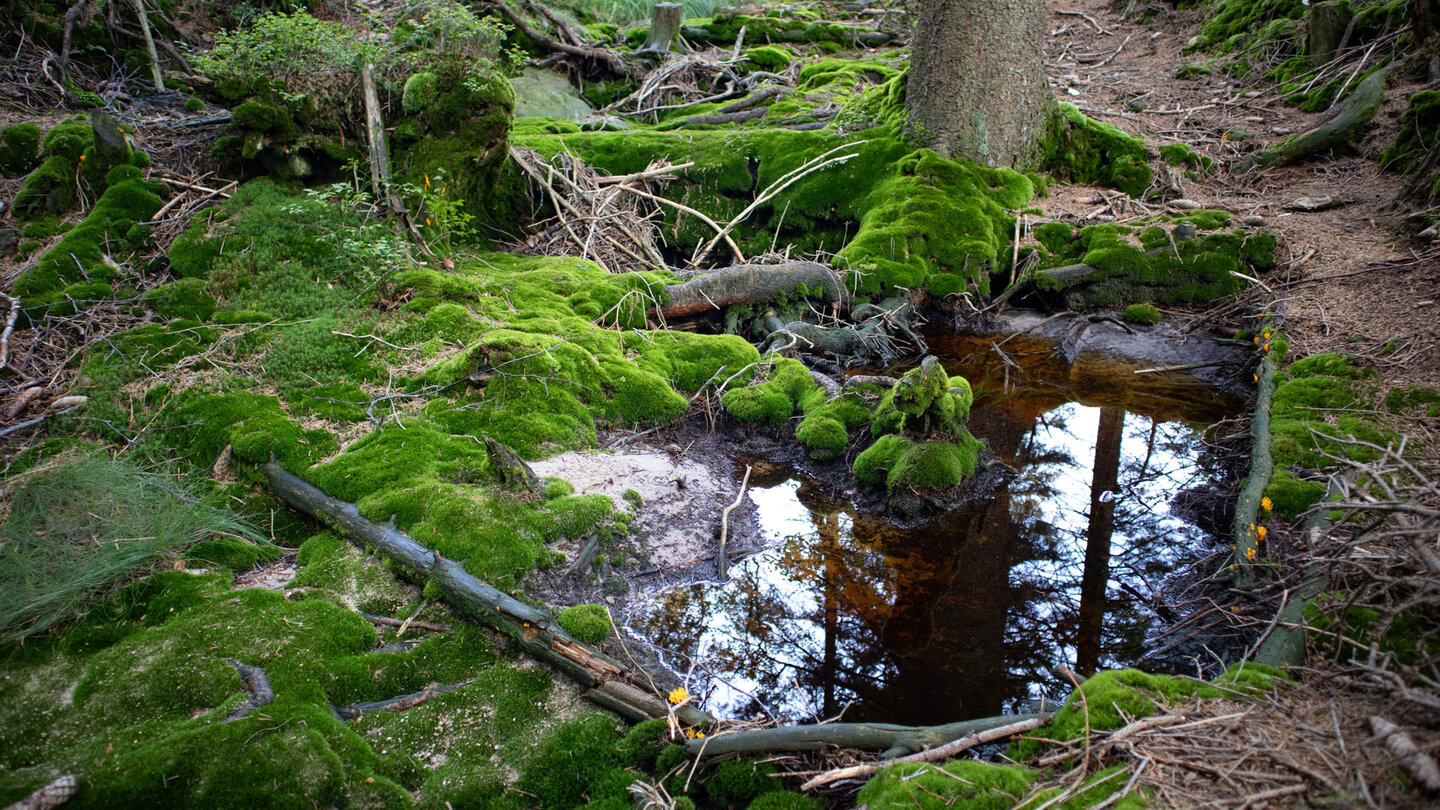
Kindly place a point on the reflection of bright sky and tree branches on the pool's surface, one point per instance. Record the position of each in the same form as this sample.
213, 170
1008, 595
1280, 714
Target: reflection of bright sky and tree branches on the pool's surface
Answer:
968, 616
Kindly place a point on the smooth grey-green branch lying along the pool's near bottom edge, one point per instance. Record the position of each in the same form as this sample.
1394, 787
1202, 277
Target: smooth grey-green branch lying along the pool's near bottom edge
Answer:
885, 737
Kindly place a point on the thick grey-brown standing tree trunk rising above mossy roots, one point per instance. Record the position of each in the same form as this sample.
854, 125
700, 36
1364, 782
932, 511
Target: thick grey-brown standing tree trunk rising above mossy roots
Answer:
977, 84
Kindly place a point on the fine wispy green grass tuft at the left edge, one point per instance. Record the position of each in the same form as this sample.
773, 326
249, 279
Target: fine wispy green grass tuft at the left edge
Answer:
86, 527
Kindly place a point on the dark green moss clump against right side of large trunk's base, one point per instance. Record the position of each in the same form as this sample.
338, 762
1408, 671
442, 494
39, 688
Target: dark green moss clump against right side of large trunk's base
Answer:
1084, 151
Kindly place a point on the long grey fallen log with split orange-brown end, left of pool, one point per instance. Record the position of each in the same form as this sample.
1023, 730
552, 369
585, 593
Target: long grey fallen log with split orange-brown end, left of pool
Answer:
538, 633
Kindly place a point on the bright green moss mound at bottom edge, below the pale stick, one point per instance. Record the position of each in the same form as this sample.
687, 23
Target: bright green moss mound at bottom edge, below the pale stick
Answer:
963, 786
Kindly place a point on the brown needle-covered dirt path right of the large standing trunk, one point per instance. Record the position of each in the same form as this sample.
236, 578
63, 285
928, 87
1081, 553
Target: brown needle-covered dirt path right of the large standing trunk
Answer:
1347, 279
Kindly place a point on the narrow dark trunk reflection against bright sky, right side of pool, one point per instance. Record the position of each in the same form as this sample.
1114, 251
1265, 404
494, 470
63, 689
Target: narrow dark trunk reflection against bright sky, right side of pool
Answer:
1098, 540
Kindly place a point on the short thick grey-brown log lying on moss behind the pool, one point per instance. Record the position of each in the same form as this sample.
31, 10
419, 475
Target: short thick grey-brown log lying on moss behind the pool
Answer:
751, 285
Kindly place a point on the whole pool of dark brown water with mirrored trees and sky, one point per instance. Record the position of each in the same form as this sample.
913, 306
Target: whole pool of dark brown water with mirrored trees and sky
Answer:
966, 616
